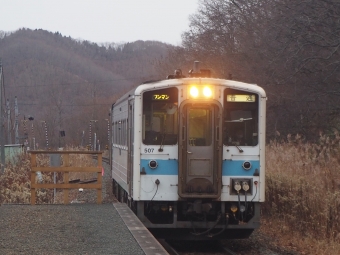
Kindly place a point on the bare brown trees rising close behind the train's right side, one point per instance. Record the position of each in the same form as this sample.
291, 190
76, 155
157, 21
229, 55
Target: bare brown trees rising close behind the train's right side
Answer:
291, 48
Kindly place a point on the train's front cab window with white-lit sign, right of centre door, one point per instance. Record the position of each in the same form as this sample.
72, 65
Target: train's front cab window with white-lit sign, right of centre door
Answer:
240, 118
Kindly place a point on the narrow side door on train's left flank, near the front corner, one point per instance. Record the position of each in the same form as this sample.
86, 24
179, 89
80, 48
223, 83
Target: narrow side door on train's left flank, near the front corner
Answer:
130, 144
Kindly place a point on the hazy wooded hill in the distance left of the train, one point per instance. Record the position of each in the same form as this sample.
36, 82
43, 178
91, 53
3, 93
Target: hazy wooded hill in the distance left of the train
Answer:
67, 83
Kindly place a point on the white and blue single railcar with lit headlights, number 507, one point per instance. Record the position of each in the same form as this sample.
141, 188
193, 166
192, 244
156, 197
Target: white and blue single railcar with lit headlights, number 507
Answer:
188, 155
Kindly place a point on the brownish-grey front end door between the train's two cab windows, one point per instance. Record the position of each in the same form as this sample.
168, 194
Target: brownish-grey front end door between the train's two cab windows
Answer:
200, 150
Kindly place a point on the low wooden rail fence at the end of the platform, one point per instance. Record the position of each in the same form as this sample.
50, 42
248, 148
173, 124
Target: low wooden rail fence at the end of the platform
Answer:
66, 169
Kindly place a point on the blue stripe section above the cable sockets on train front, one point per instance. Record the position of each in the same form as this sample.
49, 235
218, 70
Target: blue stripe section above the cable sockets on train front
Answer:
234, 167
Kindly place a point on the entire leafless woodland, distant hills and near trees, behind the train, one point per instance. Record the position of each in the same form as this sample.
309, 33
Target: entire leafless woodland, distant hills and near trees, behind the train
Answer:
291, 48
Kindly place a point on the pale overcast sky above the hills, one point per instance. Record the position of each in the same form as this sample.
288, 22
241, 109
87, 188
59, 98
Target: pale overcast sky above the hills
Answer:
102, 20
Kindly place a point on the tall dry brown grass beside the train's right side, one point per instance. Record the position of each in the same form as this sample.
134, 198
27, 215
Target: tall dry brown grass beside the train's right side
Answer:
302, 207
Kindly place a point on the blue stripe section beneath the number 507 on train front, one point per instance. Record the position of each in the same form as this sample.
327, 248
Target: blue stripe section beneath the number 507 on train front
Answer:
165, 167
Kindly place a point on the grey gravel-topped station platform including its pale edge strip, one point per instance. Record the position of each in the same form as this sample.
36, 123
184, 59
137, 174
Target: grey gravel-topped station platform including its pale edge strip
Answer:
74, 229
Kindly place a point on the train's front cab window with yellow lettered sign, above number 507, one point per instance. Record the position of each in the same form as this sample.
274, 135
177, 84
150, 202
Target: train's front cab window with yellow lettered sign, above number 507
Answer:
160, 121
